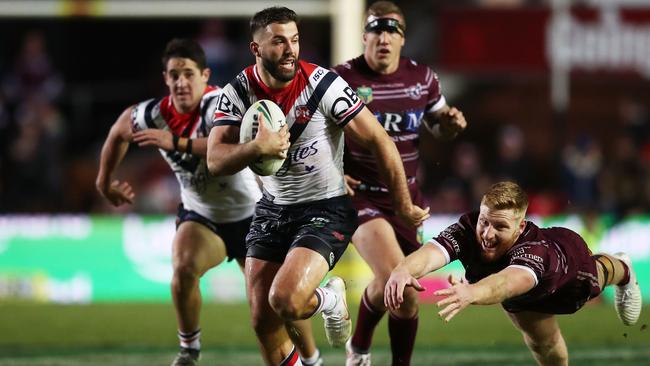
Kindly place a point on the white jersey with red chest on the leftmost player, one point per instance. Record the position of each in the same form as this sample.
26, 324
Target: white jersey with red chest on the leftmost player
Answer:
221, 199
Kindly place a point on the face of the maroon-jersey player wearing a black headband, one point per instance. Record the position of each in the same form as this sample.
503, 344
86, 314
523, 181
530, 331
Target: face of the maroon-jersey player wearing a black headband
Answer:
383, 48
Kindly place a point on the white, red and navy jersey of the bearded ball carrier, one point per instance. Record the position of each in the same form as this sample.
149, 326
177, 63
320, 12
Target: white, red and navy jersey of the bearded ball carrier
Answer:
317, 104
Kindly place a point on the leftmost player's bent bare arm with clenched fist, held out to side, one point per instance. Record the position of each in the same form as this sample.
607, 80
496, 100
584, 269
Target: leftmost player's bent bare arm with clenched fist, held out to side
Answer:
113, 151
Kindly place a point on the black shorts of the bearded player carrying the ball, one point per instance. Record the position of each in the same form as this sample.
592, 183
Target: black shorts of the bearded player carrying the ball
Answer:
324, 226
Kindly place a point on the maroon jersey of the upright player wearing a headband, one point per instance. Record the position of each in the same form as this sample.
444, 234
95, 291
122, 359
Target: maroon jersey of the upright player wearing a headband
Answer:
399, 101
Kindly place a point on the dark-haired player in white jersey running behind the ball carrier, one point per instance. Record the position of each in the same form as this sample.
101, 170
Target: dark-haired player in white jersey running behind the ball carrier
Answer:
215, 214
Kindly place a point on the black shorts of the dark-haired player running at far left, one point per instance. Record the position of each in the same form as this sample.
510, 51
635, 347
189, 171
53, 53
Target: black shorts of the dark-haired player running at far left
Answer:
233, 234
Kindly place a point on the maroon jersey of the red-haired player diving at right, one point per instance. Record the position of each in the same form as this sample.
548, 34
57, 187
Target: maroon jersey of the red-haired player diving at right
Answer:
558, 258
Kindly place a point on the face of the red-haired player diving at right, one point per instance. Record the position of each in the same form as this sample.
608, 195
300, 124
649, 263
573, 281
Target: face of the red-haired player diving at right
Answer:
497, 231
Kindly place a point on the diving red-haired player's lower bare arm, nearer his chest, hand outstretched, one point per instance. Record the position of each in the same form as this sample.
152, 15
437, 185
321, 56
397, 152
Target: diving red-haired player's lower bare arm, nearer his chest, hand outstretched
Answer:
494, 289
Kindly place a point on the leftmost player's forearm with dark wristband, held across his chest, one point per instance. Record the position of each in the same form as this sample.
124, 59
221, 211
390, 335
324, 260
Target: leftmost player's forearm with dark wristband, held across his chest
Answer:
165, 140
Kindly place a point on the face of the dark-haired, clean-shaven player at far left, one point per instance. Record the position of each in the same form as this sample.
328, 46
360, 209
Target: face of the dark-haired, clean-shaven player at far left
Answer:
186, 83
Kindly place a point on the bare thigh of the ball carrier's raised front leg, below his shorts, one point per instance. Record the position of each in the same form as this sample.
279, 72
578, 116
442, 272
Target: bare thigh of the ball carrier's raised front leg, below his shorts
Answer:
301, 273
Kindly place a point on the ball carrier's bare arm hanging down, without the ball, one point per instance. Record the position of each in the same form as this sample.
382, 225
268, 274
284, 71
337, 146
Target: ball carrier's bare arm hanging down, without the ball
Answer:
365, 130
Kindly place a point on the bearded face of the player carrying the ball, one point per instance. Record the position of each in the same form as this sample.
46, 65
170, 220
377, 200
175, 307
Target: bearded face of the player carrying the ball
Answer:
278, 46
